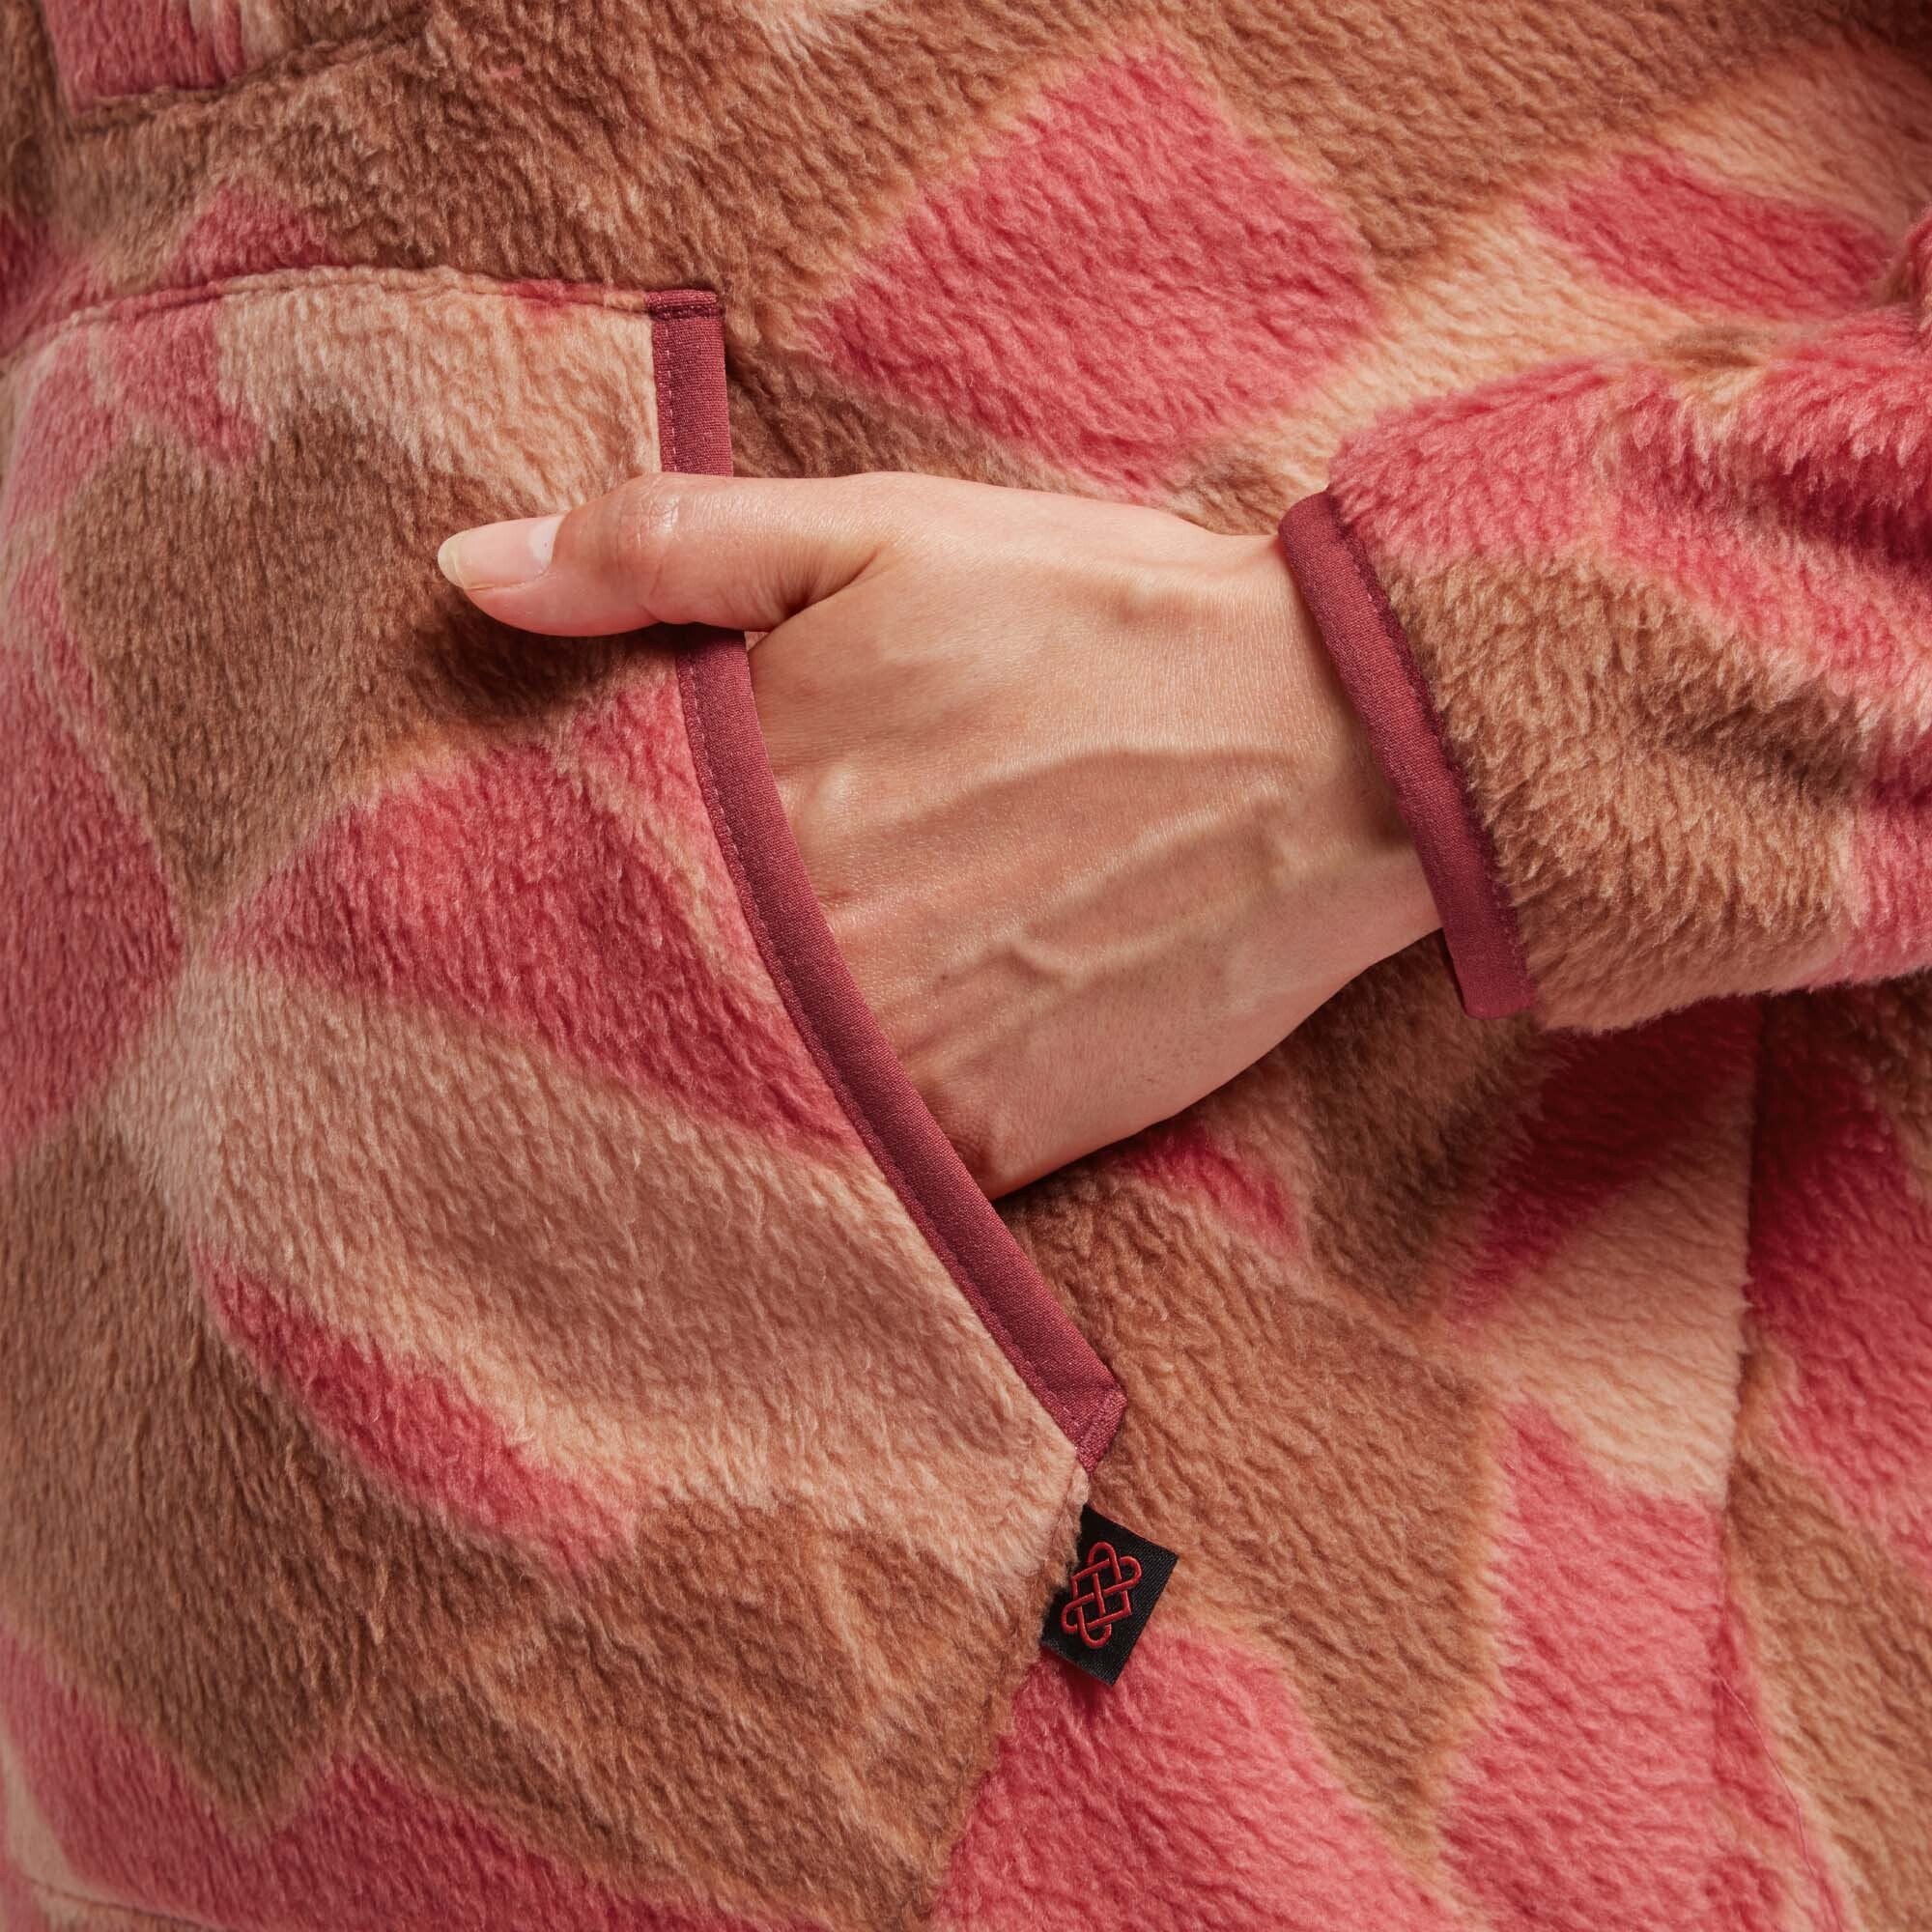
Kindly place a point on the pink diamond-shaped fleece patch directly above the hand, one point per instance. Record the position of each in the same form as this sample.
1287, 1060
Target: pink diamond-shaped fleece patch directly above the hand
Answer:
1123, 277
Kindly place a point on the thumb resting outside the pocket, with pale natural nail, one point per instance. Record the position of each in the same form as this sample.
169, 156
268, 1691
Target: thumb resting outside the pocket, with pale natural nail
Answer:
673, 550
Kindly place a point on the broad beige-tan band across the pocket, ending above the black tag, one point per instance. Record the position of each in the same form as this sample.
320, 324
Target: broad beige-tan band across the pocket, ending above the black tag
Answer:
648, 1301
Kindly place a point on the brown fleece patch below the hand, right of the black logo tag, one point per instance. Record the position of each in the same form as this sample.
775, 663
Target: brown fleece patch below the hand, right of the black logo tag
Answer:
1259, 1435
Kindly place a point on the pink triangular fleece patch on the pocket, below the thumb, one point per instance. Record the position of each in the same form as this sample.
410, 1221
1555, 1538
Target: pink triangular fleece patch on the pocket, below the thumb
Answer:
571, 936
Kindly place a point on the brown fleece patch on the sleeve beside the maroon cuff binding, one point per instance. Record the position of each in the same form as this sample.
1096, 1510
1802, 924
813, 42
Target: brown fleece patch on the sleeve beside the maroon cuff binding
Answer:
1622, 913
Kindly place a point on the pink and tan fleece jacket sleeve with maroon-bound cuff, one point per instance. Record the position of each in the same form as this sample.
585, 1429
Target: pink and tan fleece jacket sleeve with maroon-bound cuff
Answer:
1645, 648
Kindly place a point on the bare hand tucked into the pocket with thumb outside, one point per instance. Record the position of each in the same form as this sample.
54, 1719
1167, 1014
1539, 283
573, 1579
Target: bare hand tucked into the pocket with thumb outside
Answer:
1077, 787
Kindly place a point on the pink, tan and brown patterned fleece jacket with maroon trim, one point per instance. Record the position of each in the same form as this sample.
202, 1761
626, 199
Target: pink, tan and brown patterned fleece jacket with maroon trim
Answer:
509, 1419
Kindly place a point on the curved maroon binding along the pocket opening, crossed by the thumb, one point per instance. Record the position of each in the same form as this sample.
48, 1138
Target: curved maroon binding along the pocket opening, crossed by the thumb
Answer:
1019, 1311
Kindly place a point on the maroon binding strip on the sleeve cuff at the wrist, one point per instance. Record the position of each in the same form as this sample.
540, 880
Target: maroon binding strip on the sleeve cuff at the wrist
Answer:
1378, 671
